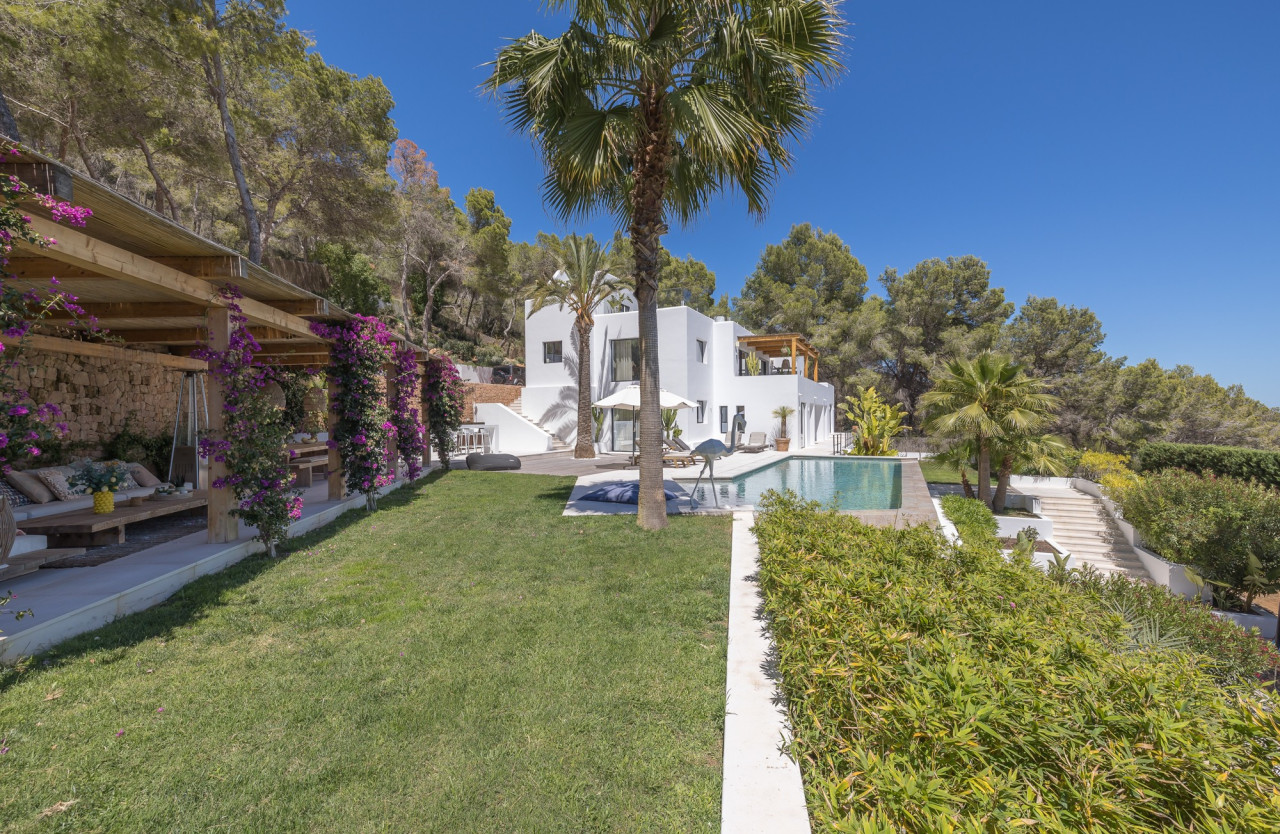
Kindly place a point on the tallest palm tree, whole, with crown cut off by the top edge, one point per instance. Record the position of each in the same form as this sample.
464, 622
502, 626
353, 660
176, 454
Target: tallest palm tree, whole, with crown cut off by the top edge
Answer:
650, 109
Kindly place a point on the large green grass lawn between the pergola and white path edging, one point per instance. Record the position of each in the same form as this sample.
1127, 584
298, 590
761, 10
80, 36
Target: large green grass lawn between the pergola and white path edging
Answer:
467, 659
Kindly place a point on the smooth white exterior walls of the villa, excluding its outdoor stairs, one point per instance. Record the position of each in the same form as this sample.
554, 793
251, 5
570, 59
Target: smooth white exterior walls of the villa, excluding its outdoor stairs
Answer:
551, 392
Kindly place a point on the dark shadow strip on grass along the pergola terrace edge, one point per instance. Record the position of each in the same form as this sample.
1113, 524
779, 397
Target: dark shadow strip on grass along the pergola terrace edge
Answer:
191, 602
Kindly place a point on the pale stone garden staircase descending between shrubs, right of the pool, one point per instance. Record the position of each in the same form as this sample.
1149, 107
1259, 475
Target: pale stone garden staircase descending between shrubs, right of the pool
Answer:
1087, 531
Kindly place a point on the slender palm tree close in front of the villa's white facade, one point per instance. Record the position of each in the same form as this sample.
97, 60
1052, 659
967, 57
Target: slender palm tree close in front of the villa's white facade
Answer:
583, 283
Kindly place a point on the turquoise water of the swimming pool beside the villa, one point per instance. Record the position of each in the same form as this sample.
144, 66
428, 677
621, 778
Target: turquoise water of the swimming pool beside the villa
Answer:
851, 484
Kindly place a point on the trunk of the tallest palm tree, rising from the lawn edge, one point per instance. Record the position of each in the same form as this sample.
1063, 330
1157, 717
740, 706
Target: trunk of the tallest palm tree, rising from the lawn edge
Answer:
647, 228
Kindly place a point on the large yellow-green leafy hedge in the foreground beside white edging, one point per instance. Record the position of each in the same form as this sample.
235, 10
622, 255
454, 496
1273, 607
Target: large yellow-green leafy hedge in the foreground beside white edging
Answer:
945, 689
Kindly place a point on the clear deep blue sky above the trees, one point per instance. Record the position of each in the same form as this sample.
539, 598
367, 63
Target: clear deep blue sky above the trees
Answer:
1121, 157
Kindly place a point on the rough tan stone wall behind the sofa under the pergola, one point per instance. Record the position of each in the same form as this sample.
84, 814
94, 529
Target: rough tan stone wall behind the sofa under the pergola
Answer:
98, 396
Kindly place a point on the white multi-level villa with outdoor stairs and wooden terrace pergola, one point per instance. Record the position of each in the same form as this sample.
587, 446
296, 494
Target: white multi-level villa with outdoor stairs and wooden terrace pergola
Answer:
707, 361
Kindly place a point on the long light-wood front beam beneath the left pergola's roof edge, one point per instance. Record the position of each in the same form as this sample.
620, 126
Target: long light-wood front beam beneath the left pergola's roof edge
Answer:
86, 253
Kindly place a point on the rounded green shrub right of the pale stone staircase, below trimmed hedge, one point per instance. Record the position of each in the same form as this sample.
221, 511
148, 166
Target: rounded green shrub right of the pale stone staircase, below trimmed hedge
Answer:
1210, 524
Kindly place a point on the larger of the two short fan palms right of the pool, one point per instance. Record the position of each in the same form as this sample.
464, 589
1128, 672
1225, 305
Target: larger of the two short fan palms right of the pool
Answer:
988, 400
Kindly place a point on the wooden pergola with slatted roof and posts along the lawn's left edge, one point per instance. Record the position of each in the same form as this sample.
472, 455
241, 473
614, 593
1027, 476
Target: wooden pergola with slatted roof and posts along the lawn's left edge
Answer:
156, 287
